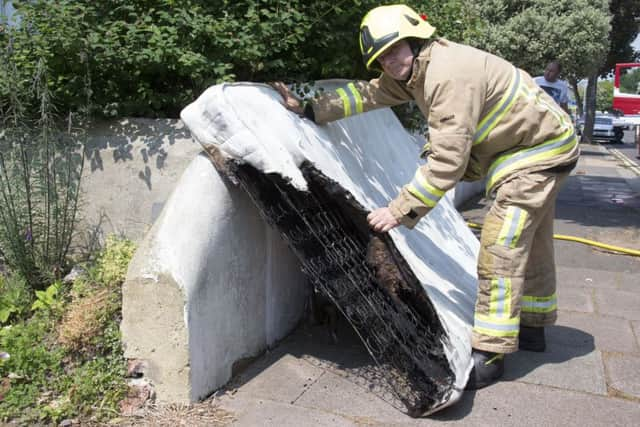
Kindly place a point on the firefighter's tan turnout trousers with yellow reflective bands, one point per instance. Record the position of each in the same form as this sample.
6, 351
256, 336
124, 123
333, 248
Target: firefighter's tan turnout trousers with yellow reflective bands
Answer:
516, 269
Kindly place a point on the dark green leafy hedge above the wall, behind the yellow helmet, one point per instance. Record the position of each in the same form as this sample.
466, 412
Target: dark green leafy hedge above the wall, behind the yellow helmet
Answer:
151, 58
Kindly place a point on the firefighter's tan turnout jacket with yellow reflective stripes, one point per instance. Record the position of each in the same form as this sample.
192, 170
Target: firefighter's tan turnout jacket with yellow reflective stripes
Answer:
486, 118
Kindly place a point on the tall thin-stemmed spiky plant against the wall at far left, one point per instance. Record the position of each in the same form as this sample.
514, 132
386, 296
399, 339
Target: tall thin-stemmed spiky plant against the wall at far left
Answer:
40, 169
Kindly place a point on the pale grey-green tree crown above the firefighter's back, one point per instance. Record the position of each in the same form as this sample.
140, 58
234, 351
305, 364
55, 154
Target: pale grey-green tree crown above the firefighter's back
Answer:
531, 33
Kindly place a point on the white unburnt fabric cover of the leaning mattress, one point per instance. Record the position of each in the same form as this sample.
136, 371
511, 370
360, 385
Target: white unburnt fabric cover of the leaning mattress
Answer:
371, 156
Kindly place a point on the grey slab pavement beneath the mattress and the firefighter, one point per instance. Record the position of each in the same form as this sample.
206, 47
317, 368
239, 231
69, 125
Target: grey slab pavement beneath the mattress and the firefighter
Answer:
589, 375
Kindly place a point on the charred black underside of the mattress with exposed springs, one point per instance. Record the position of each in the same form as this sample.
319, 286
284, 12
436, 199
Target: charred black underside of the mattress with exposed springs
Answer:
365, 276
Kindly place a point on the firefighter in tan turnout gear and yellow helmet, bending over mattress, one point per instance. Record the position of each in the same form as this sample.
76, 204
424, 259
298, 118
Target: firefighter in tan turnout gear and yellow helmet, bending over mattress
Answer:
487, 119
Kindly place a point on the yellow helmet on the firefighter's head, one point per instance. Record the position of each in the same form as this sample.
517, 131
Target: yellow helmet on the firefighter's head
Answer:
385, 25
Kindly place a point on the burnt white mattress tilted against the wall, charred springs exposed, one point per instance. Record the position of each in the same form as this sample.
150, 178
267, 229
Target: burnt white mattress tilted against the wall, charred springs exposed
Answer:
409, 294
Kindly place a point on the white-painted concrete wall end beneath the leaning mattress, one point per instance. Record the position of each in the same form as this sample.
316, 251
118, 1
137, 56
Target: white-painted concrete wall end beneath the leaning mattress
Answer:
226, 281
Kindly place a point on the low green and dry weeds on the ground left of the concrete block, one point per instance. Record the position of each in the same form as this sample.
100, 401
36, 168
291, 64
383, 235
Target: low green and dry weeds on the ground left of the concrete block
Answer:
53, 381
